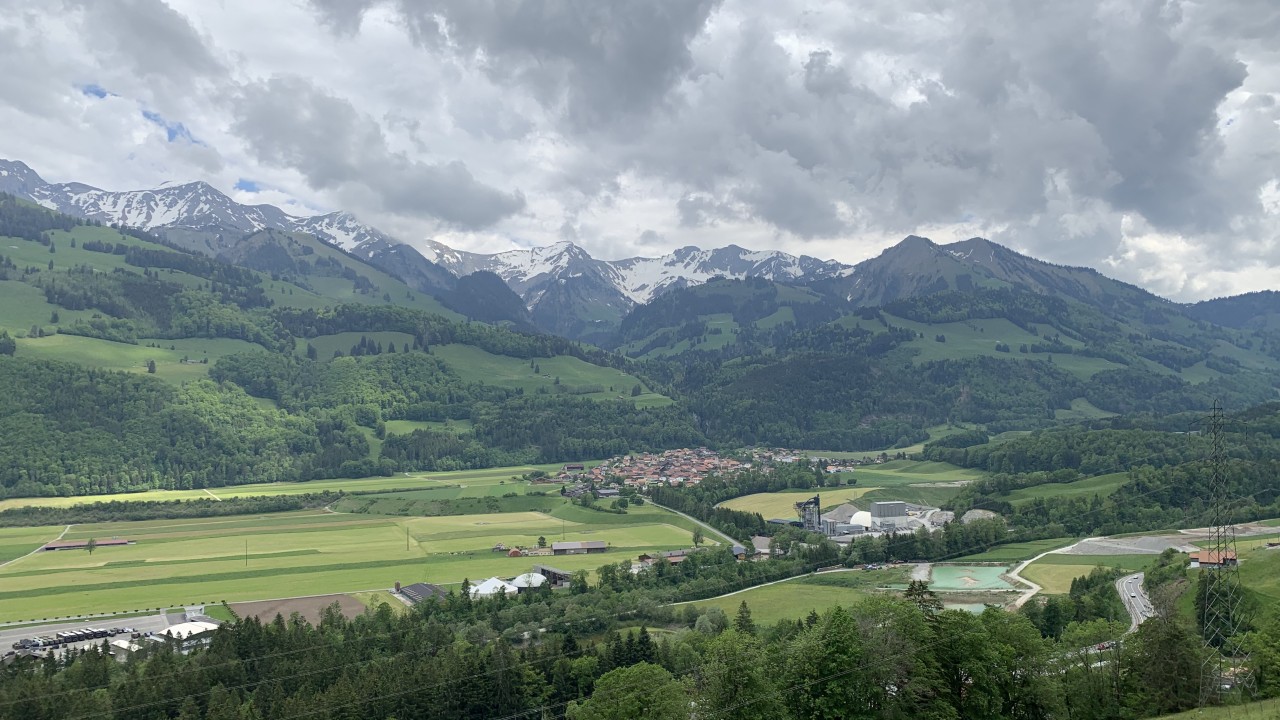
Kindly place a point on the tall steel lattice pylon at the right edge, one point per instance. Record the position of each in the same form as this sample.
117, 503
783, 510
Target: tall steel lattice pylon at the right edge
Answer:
1226, 675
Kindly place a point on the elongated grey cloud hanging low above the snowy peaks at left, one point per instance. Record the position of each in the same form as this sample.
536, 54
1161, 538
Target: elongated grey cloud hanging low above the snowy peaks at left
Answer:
290, 124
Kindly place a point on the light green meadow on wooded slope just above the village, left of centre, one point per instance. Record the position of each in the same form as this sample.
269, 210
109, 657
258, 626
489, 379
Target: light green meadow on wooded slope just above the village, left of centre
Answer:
476, 366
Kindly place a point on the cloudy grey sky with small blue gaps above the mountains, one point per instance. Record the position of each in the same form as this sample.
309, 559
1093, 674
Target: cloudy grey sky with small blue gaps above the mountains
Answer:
1137, 138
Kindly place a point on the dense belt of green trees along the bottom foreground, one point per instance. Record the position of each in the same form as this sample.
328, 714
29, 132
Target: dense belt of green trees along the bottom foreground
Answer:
591, 655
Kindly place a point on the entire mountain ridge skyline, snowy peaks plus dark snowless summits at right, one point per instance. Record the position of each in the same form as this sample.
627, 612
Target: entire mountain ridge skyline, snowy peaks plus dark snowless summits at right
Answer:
564, 290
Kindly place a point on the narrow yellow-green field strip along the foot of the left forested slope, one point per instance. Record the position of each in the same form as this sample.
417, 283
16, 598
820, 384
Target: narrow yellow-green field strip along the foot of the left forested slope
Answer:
474, 484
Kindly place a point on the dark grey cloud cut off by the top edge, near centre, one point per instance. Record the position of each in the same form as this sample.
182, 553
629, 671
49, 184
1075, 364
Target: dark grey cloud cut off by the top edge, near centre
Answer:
596, 62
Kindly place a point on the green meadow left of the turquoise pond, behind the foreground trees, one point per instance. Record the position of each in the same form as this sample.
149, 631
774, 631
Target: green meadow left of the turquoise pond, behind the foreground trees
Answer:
794, 599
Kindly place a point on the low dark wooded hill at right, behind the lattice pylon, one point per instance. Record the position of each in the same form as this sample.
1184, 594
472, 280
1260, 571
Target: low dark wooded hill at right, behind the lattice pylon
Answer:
1155, 472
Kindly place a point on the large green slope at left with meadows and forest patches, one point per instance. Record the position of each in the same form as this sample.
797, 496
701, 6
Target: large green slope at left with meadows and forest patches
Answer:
223, 380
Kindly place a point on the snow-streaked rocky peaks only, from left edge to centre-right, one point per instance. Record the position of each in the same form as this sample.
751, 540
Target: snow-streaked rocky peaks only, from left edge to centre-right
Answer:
564, 289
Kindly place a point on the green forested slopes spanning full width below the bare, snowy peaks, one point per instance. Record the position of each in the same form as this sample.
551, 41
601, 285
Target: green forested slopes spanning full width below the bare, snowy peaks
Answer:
344, 371
